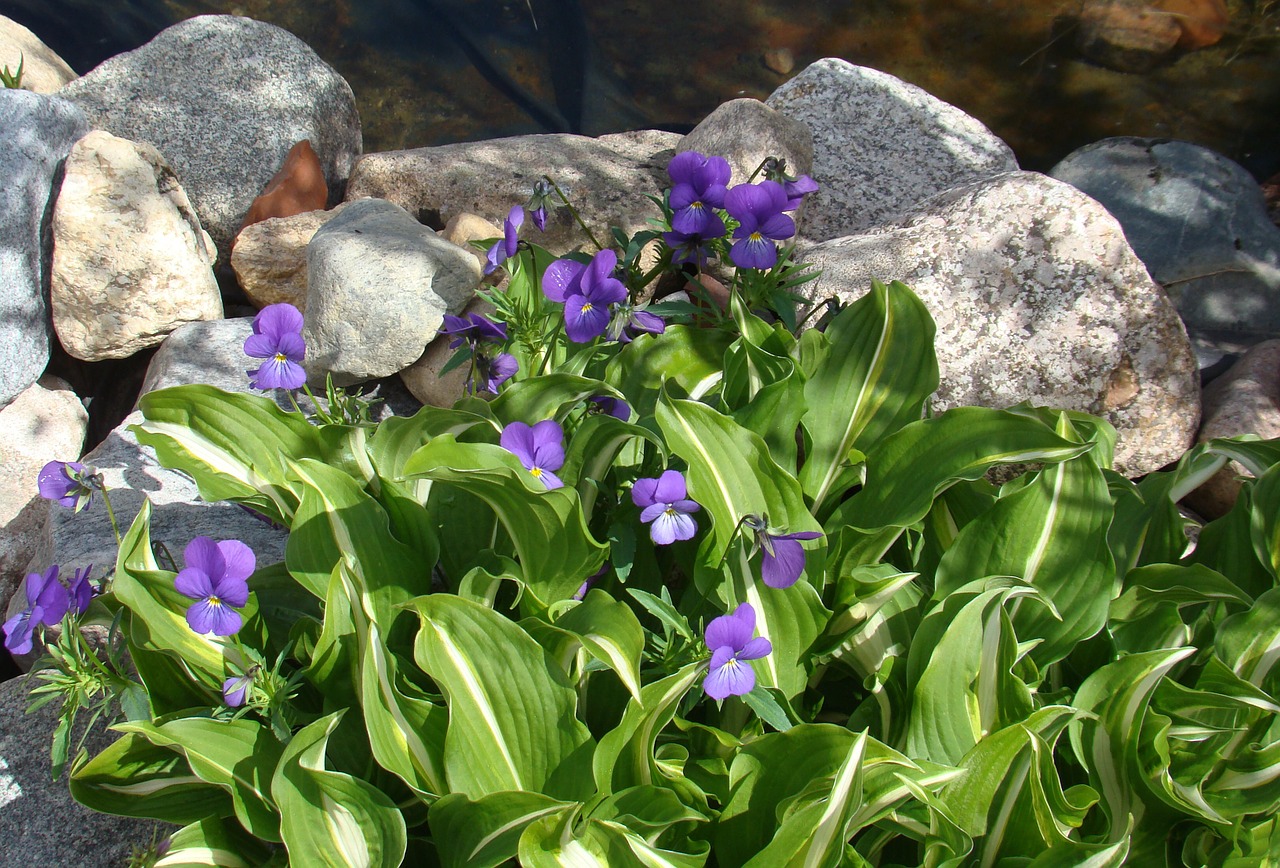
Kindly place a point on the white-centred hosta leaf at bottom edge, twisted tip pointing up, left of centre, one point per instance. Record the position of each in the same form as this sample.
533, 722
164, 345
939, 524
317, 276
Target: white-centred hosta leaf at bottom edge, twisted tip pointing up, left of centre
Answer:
331, 819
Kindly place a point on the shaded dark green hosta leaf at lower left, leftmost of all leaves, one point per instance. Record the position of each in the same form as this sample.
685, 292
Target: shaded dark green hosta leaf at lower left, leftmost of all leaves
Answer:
134, 778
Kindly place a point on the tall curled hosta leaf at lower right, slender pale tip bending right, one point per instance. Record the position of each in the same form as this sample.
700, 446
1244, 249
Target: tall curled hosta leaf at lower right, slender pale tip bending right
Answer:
1108, 737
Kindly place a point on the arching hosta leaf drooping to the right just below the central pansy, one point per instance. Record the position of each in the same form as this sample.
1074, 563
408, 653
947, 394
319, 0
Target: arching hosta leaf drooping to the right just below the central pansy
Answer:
556, 550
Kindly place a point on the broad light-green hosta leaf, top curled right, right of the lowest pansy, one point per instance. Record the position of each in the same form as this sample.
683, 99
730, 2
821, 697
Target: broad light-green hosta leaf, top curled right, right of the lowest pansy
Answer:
962, 671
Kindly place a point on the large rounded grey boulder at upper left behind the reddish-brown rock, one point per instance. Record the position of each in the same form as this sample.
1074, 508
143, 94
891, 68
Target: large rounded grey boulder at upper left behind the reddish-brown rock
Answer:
225, 99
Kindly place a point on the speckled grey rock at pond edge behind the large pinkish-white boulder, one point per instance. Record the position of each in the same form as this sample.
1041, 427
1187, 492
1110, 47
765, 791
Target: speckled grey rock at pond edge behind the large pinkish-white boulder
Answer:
881, 147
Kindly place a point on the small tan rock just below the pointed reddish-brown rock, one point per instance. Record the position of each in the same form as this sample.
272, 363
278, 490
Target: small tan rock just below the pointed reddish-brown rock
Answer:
271, 258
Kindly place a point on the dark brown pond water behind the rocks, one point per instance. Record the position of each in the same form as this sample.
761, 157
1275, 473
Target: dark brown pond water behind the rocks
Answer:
432, 72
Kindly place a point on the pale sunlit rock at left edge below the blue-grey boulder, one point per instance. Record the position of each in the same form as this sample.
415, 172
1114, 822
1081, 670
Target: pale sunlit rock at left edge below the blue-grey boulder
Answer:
45, 423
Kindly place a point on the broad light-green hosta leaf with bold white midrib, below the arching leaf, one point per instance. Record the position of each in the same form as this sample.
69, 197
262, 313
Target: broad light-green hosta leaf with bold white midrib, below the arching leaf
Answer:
513, 721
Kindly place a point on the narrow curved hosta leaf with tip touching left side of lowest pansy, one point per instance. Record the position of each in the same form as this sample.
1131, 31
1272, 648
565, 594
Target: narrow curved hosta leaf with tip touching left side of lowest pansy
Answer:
625, 756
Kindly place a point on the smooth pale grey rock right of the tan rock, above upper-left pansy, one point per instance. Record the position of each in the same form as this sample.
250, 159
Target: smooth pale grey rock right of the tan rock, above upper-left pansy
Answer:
380, 285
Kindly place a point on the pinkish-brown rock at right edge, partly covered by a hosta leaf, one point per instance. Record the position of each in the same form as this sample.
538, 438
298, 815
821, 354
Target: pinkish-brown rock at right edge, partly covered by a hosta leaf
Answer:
1246, 400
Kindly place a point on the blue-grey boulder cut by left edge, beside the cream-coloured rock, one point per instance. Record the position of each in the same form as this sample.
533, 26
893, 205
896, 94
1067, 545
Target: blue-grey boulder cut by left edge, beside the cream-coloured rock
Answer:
39, 134
